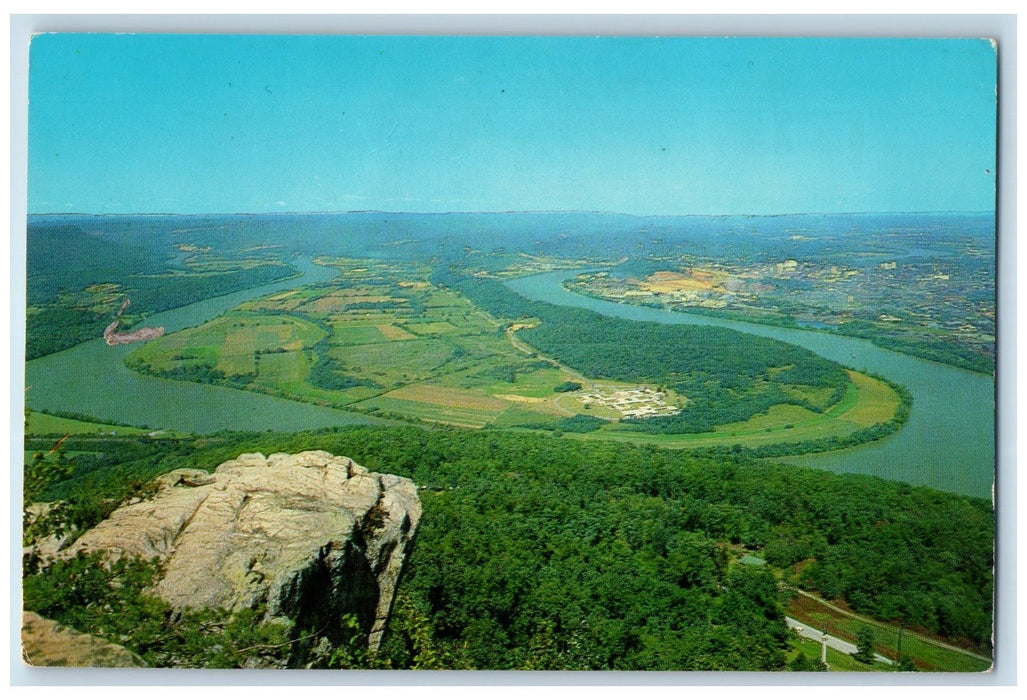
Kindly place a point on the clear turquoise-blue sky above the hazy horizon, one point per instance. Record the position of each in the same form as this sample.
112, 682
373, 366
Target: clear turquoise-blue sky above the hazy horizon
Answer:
140, 124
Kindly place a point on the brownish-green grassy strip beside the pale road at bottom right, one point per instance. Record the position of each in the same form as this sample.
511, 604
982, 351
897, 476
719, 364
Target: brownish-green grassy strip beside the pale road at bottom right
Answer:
927, 655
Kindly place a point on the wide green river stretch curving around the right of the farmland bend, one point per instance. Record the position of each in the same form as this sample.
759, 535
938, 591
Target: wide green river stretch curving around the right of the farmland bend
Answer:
949, 442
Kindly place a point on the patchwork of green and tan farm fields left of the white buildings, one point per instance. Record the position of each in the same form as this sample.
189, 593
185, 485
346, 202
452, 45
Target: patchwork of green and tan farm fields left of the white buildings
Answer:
375, 340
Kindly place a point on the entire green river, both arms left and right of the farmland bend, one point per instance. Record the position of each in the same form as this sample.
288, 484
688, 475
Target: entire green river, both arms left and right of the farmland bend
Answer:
948, 443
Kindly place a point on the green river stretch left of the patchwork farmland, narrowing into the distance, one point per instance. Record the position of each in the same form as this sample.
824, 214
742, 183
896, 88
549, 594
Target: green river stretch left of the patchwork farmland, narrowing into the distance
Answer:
92, 379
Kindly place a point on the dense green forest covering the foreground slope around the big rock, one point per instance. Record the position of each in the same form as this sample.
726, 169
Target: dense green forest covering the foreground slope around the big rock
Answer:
543, 553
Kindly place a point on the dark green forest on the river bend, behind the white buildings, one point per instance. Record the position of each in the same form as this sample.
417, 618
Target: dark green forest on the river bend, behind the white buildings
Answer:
728, 376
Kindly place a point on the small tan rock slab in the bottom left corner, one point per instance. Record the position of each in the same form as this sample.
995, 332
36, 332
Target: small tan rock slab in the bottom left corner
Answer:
45, 643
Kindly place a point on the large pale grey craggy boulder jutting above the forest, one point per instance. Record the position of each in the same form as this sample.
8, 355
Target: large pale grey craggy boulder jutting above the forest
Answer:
311, 536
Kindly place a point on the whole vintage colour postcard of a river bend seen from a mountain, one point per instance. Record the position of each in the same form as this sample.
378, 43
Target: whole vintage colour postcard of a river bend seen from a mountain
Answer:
511, 354
